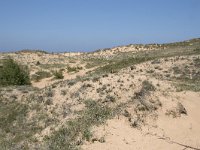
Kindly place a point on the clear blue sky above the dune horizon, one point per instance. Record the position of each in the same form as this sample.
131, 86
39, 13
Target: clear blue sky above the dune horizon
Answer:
86, 25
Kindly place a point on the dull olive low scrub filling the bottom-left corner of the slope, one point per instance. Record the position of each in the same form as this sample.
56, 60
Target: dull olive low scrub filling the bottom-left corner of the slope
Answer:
16, 130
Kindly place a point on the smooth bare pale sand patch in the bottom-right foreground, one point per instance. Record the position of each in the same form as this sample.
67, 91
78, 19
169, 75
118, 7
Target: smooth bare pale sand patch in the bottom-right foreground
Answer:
166, 133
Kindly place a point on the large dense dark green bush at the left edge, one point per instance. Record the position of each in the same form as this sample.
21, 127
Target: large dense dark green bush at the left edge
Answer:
13, 74
